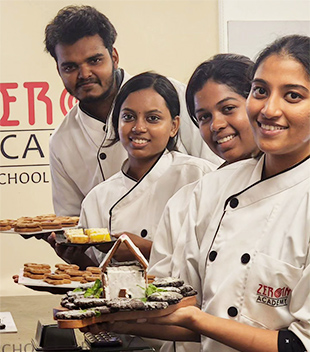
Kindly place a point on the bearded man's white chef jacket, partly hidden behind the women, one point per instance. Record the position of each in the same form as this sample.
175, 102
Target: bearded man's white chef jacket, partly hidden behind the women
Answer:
79, 158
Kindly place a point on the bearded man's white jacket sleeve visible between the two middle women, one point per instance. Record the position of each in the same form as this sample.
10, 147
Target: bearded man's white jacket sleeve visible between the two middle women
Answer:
190, 141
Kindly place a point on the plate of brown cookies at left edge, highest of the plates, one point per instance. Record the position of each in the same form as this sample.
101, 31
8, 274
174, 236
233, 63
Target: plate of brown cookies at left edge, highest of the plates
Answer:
36, 225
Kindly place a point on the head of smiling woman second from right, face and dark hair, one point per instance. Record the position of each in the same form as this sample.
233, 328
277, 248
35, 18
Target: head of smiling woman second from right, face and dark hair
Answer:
216, 98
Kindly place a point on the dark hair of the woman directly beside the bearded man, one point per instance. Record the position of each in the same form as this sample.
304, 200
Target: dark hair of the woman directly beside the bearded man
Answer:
145, 80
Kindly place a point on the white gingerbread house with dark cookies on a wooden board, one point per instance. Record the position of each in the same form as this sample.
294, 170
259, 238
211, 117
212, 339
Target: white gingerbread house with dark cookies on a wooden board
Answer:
123, 293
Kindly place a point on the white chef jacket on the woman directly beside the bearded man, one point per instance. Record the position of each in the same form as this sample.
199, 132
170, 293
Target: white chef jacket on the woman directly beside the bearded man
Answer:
122, 204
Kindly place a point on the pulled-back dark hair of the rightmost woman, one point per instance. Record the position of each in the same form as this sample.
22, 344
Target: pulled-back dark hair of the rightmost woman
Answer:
295, 46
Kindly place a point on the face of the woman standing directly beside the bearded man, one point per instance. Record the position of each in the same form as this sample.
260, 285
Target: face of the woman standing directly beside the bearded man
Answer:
145, 125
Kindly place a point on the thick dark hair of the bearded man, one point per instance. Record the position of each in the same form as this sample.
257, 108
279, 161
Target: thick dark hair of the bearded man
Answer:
75, 22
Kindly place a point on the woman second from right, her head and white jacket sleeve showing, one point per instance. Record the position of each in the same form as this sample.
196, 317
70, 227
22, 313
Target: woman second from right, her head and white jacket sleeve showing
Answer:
216, 101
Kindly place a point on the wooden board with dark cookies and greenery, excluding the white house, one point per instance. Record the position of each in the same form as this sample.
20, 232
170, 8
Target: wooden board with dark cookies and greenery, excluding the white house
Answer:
83, 307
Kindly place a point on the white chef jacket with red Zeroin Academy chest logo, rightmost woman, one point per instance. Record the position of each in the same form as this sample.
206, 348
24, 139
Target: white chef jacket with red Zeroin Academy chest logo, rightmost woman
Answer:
247, 247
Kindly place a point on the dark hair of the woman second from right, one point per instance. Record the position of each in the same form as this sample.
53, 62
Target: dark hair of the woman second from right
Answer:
233, 70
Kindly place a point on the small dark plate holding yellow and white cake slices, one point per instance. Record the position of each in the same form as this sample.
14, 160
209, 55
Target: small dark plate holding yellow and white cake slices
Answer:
86, 237
